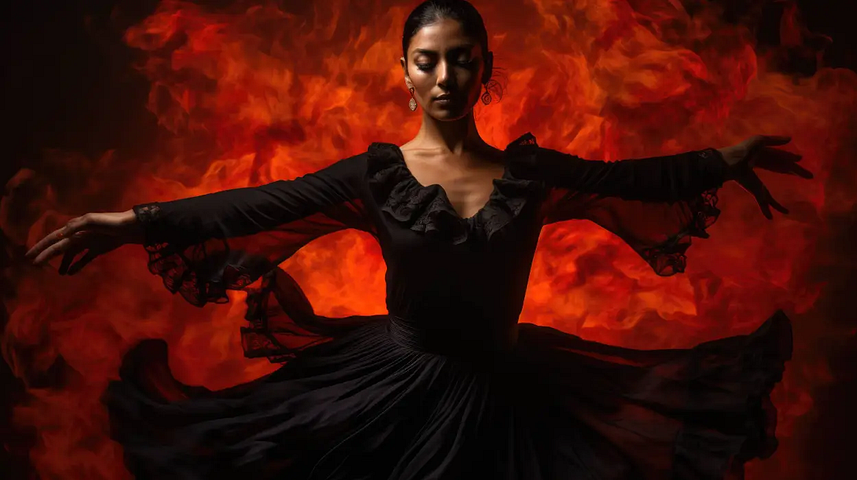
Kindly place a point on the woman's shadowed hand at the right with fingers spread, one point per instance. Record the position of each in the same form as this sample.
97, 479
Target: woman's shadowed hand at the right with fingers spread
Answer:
758, 151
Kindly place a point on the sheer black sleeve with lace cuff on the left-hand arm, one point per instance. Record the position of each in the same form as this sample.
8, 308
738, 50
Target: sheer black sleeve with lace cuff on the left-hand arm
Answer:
202, 246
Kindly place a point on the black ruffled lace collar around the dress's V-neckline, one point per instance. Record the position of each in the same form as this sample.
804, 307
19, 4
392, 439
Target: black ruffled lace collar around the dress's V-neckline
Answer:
427, 209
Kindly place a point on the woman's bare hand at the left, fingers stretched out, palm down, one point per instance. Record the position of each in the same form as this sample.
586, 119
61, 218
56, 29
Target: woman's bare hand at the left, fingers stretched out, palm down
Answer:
96, 233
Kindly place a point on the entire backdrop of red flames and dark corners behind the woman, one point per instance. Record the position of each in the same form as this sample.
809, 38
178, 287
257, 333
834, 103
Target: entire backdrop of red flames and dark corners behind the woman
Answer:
116, 103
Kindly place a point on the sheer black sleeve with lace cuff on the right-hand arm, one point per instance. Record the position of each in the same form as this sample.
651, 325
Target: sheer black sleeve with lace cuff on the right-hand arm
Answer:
654, 204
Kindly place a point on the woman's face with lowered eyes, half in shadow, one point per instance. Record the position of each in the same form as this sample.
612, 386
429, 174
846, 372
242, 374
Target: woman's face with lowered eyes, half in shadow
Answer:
446, 69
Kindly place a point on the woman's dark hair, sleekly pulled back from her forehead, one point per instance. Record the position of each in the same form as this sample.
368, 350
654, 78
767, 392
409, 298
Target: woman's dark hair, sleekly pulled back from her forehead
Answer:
431, 11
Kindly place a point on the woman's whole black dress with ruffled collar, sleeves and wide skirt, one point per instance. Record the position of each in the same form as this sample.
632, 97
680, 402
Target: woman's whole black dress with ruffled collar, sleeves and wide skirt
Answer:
448, 385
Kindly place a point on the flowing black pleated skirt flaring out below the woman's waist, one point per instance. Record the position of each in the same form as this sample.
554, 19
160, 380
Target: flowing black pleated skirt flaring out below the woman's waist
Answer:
365, 406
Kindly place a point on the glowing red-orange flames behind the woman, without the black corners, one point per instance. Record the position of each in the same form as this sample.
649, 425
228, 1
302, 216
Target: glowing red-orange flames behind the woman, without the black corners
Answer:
250, 95
